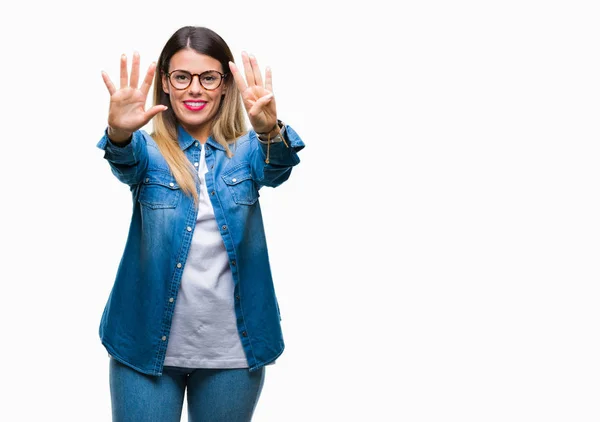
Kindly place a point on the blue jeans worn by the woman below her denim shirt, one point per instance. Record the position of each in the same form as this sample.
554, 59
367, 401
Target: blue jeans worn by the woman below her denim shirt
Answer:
213, 395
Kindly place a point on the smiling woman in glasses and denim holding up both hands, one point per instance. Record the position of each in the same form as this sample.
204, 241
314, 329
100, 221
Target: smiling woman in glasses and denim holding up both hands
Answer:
193, 306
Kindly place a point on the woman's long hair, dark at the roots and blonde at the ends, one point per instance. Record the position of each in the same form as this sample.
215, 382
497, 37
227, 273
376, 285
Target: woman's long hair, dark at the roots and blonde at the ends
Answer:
229, 123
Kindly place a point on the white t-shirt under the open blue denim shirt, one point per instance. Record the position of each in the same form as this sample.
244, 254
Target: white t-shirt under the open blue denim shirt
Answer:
204, 333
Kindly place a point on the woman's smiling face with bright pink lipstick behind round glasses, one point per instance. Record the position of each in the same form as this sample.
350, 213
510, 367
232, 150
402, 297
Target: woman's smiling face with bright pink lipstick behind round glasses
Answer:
195, 106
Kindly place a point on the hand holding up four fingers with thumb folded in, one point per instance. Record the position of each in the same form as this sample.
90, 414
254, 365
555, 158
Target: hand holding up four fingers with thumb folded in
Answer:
258, 98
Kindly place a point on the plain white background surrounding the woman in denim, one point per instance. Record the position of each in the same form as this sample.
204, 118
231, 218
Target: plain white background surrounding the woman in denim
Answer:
435, 254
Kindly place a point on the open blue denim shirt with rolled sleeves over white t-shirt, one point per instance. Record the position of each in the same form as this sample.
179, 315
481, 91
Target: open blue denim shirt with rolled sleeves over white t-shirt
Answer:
136, 321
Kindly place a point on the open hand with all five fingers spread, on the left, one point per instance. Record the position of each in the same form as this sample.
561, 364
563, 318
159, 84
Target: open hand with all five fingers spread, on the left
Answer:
127, 111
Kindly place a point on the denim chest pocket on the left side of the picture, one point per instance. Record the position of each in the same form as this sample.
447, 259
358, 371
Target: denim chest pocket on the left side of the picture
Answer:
159, 190
